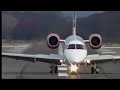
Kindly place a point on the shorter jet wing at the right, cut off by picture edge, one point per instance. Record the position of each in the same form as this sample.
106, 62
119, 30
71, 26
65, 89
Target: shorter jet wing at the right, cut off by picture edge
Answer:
103, 58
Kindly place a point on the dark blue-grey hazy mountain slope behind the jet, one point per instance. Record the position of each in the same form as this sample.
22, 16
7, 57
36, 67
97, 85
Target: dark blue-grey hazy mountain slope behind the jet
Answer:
36, 25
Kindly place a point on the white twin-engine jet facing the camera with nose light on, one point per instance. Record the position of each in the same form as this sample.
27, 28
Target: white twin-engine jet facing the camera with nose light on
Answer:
74, 52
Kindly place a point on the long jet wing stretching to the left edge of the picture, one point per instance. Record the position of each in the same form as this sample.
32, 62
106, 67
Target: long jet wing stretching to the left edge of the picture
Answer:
38, 57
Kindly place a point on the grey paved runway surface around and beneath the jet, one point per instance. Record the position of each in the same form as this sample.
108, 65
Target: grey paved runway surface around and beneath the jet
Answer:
18, 69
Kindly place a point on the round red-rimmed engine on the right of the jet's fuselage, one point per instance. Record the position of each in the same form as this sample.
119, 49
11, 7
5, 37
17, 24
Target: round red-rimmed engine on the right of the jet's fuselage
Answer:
95, 41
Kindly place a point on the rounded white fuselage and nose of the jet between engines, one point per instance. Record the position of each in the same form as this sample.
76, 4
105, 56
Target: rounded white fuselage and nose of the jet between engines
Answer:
75, 54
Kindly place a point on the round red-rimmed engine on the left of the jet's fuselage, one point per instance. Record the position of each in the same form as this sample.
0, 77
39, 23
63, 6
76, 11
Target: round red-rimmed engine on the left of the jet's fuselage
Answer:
53, 40
